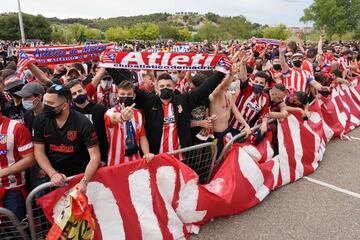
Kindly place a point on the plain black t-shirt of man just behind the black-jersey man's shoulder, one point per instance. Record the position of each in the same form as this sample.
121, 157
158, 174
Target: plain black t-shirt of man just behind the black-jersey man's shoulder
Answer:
95, 113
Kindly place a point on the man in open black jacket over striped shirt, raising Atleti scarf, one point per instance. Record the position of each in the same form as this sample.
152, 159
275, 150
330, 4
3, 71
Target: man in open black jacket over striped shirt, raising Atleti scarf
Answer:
167, 116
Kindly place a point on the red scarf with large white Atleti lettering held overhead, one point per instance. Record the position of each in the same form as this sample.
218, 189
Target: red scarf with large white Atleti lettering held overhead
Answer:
159, 60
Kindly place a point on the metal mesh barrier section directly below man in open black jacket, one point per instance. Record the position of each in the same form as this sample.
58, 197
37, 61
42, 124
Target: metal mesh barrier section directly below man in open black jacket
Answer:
201, 158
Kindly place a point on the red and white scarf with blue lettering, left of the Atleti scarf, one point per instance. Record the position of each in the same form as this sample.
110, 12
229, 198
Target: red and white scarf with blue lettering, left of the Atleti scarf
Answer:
65, 54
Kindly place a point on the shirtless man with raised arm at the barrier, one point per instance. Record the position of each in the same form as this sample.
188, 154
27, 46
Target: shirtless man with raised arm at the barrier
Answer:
222, 103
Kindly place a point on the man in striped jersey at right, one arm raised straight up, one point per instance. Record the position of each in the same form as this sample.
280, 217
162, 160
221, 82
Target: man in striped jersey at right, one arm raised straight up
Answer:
295, 78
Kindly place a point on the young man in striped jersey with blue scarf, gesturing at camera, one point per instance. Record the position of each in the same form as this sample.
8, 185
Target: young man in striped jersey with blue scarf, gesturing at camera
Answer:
125, 129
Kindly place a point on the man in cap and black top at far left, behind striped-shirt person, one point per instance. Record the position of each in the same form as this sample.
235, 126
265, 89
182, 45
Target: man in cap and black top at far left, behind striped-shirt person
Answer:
14, 109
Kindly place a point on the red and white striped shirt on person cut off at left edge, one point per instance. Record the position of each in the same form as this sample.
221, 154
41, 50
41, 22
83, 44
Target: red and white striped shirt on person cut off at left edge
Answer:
15, 140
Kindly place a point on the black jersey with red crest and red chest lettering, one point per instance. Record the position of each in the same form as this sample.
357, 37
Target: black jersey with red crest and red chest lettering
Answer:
66, 147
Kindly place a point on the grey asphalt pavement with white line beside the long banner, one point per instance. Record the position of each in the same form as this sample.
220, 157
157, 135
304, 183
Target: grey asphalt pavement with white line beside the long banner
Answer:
304, 209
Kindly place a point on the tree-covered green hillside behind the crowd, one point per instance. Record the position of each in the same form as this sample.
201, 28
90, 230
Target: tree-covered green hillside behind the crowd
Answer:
181, 26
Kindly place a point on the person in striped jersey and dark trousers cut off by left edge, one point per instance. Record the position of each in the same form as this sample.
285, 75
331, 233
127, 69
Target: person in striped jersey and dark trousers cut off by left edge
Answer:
16, 155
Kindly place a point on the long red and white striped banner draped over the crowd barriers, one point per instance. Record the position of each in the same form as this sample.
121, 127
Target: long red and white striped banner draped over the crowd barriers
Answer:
163, 199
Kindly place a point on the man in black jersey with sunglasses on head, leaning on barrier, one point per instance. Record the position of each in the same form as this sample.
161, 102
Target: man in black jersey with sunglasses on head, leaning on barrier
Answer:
65, 141
